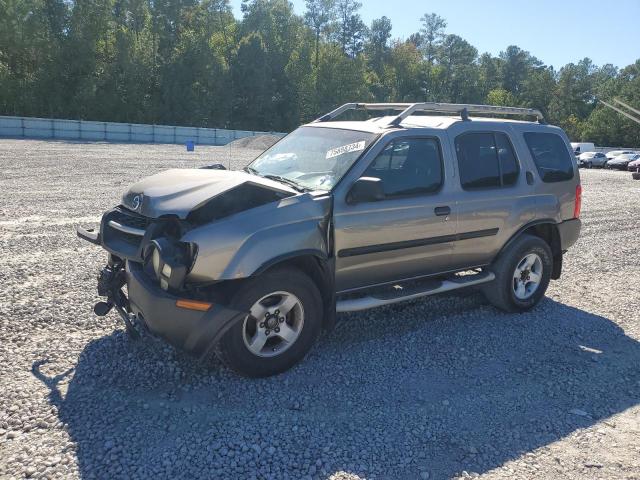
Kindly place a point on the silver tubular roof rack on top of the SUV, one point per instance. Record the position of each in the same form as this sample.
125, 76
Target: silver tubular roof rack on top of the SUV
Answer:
407, 109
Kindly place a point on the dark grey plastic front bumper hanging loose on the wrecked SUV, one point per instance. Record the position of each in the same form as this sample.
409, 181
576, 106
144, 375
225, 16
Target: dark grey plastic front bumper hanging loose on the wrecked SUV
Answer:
193, 331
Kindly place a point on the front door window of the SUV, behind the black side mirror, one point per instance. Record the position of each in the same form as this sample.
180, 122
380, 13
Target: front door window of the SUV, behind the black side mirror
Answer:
407, 167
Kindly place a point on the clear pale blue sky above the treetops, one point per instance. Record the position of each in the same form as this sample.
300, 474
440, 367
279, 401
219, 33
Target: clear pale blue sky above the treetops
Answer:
555, 31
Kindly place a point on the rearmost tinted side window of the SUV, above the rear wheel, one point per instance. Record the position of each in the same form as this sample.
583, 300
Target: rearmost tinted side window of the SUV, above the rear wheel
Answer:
551, 156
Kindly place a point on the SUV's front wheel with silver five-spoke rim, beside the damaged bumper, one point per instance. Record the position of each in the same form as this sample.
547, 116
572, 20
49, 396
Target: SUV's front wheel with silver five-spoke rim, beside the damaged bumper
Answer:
265, 294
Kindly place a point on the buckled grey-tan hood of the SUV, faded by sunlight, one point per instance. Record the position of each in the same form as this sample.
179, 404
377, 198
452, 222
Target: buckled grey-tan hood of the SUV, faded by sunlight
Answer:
179, 191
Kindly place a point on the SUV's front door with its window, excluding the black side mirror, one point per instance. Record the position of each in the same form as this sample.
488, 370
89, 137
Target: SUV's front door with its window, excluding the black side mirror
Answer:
407, 234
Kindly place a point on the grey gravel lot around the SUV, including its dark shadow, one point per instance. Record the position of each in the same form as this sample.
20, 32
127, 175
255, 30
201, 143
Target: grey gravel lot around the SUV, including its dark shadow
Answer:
439, 388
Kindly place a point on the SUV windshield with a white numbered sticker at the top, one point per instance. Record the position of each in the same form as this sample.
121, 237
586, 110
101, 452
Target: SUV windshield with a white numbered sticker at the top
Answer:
314, 158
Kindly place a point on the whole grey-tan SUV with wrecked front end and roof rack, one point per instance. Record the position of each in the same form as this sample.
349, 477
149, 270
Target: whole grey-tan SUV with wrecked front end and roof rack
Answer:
341, 216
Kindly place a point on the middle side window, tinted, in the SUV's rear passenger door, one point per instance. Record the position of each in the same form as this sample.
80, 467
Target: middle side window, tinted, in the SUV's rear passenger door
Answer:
486, 160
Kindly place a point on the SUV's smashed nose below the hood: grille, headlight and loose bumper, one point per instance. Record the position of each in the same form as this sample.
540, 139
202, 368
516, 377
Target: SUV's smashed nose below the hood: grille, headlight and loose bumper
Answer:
149, 262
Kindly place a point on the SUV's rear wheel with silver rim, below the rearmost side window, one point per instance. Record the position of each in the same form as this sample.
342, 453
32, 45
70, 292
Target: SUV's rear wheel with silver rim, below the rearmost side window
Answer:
505, 292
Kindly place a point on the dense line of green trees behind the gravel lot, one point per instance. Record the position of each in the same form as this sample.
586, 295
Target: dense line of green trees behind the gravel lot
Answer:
191, 62
